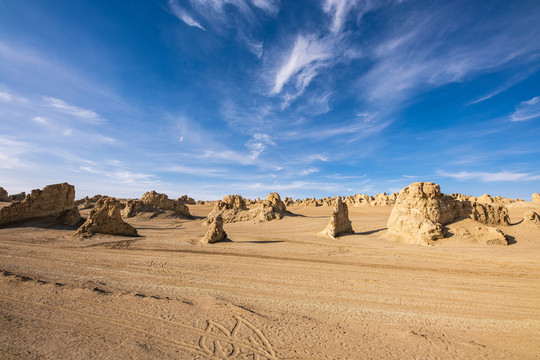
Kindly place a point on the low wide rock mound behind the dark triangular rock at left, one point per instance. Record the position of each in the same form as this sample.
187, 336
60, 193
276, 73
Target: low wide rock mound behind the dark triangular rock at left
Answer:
153, 202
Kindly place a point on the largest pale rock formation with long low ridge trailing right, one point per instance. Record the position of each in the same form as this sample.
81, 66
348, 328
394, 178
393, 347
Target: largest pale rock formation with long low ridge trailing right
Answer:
421, 211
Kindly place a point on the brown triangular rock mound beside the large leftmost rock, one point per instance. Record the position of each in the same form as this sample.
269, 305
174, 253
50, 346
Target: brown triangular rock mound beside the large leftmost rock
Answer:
105, 218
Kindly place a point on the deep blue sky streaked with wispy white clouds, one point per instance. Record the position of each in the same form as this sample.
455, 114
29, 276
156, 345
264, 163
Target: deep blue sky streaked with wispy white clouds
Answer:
307, 98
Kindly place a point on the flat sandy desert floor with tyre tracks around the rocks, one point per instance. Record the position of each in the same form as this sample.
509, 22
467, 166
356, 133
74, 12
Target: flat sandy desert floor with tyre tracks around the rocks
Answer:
276, 291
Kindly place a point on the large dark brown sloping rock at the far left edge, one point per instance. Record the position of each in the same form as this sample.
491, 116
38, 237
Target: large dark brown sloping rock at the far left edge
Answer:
56, 200
